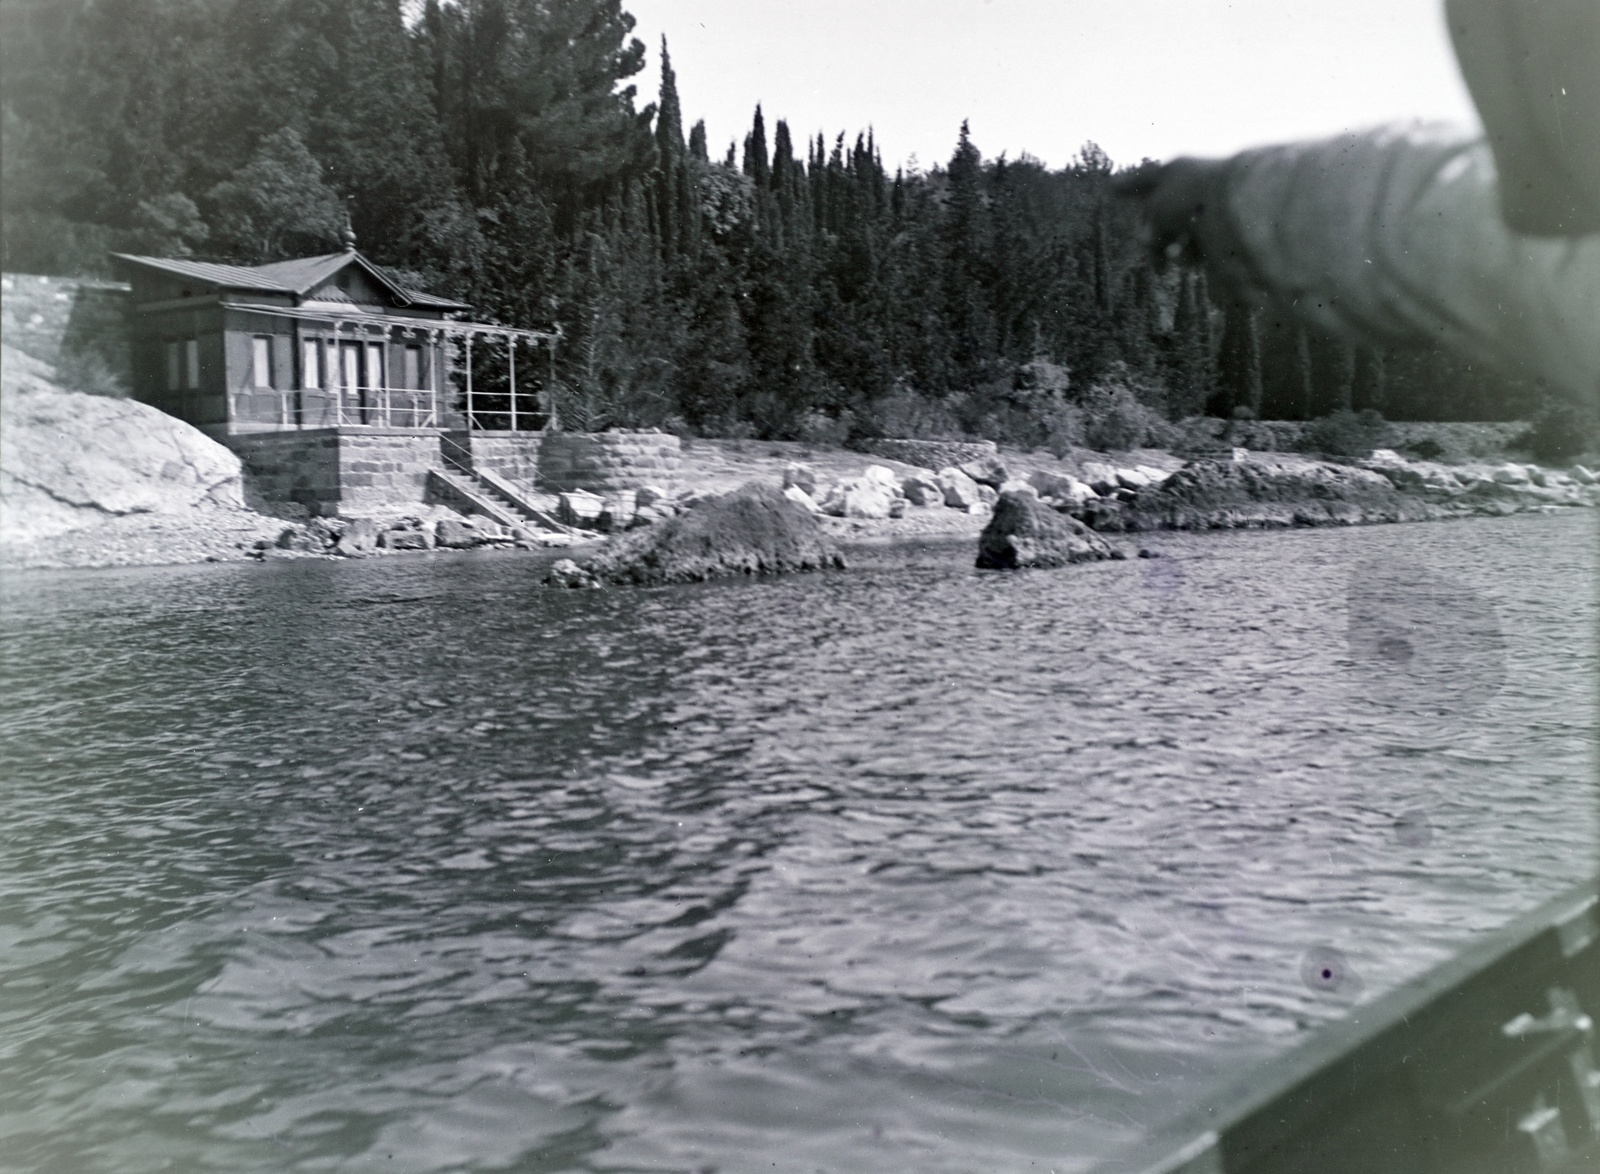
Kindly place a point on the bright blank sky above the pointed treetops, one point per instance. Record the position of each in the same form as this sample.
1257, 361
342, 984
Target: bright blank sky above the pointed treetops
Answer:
1145, 79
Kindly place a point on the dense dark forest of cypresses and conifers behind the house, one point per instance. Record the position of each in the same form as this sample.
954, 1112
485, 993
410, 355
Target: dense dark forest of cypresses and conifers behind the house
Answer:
785, 289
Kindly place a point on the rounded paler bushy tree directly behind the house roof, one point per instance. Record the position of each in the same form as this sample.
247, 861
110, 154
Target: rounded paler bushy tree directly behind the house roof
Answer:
278, 204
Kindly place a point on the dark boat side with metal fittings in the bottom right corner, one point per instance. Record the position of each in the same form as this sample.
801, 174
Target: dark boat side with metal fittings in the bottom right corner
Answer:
1484, 1066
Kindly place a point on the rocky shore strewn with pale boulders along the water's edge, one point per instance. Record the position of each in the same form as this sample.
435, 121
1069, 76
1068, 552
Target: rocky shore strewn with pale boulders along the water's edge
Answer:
97, 482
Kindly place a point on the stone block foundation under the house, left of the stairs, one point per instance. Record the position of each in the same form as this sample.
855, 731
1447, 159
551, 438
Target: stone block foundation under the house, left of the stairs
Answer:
337, 471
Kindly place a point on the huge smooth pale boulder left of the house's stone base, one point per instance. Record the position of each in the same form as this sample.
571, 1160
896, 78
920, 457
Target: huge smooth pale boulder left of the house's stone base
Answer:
71, 460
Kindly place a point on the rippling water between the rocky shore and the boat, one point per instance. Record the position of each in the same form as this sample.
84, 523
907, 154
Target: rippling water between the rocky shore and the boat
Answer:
412, 866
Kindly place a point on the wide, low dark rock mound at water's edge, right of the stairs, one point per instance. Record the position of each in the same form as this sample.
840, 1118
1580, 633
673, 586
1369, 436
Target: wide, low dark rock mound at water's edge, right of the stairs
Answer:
754, 530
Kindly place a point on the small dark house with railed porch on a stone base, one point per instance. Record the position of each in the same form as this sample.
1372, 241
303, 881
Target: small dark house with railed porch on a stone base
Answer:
340, 386
